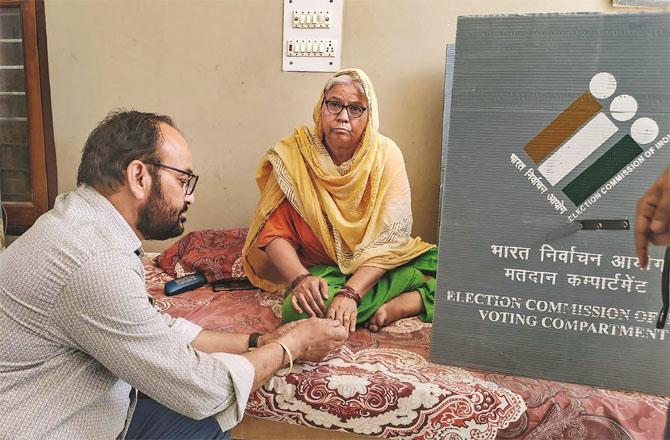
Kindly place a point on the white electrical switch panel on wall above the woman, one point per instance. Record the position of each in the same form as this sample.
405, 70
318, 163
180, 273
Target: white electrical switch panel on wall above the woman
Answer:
312, 35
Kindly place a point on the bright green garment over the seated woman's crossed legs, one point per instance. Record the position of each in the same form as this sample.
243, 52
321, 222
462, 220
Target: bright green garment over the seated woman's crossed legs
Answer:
406, 278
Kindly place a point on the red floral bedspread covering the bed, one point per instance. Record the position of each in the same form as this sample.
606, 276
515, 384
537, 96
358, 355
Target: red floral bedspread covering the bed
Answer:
381, 384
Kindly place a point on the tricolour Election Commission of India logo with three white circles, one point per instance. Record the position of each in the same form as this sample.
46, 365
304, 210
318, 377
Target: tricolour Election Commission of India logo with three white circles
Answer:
578, 132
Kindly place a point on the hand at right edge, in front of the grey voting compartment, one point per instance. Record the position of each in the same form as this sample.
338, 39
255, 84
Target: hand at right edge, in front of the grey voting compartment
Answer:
652, 224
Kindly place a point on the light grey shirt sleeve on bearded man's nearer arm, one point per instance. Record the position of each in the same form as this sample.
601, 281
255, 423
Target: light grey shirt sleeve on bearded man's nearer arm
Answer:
105, 311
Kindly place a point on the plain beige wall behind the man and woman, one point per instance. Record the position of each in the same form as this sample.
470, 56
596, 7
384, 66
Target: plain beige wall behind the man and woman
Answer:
215, 66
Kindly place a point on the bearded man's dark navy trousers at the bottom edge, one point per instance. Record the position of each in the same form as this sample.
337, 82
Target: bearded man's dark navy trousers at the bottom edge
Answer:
152, 420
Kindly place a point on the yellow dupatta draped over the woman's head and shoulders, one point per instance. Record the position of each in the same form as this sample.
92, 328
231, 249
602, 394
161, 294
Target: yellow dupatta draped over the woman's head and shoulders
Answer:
360, 210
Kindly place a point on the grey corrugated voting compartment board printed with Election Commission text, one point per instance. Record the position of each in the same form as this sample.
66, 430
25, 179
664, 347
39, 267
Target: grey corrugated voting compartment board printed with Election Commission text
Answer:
519, 289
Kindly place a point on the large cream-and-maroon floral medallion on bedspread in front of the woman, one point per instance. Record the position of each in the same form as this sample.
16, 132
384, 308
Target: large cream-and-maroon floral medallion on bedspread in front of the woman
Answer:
387, 392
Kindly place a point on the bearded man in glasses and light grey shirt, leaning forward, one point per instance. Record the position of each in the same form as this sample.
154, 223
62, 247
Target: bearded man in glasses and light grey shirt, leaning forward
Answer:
77, 331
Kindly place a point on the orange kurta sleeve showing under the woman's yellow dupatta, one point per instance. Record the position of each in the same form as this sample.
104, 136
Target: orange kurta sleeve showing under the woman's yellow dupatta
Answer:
286, 223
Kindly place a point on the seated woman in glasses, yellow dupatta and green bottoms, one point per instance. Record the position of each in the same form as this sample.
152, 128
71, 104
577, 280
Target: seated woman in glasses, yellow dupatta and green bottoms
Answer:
334, 220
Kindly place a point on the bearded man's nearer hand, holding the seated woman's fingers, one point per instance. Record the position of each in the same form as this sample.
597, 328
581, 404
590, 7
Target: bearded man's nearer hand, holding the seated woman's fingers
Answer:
313, 338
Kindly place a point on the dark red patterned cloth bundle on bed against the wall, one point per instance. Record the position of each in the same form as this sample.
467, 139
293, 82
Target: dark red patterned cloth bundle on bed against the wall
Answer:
213, 252
